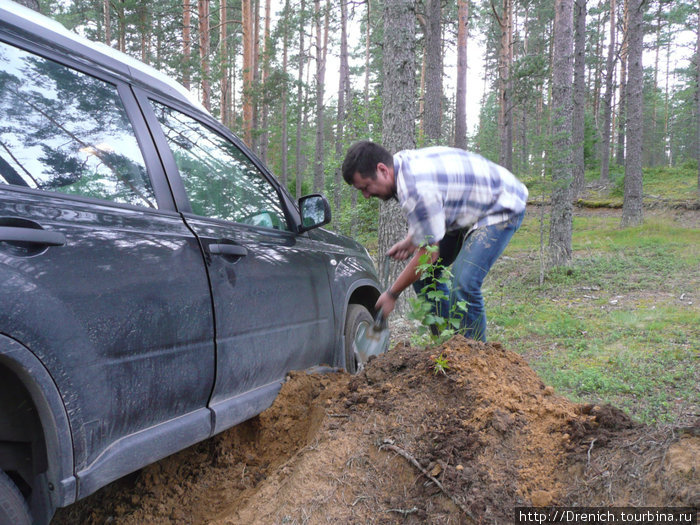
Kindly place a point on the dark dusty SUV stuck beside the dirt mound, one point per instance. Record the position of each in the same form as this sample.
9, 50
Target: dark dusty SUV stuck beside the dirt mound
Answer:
157, 282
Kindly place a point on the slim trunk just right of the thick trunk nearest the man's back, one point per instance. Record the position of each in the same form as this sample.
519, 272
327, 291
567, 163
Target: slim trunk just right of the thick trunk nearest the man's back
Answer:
579, 113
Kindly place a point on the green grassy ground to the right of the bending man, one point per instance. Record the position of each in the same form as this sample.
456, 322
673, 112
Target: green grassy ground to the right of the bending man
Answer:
614, 327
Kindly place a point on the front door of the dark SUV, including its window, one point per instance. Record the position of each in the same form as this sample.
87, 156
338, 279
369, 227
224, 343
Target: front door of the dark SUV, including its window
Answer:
269, 285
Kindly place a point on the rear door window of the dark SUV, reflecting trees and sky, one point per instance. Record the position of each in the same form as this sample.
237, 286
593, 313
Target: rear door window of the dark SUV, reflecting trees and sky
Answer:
65, 131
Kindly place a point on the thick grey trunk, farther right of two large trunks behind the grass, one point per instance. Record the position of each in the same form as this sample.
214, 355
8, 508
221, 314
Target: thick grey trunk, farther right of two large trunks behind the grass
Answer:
632, 209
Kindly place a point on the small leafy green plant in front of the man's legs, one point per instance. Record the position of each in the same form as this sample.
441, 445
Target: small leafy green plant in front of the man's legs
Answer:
435, 327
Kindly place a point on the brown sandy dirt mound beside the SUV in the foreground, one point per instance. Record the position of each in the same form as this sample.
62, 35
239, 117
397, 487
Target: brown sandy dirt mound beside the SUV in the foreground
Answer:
403, 442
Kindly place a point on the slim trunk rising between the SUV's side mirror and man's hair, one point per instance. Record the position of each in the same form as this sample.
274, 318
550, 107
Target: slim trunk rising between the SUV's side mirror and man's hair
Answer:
343, 95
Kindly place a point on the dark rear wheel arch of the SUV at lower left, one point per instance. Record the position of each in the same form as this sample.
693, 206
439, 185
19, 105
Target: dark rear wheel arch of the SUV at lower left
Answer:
56, 487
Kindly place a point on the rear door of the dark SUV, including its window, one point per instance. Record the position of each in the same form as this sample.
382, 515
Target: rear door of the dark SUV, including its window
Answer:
102, 280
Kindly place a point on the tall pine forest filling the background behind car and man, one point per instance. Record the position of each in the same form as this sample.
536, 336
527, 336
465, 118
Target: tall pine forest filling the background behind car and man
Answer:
558, 90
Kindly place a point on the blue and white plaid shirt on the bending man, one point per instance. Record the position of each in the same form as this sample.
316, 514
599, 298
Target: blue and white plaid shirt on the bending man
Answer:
442, 189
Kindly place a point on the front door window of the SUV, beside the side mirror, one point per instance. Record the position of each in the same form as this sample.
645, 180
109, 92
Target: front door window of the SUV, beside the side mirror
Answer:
220, 180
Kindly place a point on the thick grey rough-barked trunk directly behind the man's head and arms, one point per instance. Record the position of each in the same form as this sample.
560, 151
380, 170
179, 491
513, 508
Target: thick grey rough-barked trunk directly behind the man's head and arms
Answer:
398, 112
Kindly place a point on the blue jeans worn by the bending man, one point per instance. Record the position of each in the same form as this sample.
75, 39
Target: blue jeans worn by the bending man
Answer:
472, 258
